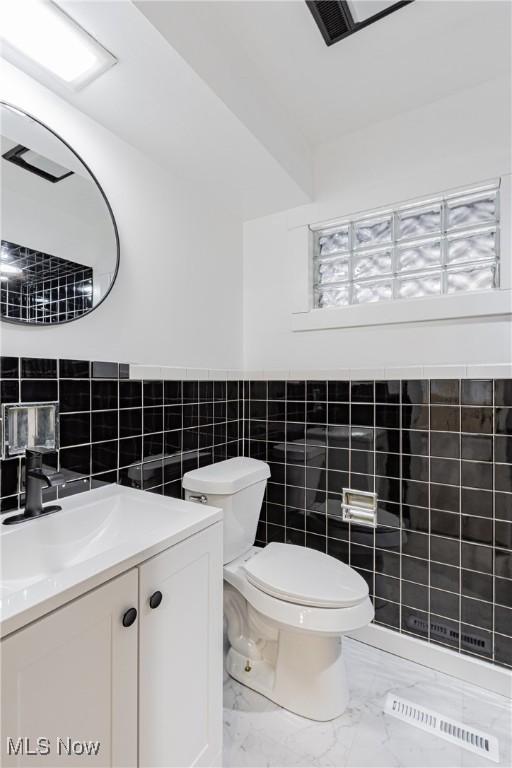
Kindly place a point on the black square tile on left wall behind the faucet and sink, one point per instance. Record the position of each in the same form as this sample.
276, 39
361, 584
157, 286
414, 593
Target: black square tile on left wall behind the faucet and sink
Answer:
114, 429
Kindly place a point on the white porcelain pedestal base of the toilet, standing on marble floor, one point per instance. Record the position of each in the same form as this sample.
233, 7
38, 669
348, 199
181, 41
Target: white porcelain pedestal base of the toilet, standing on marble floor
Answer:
307, 677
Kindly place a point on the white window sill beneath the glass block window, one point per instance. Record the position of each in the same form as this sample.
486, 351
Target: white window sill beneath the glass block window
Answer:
468, 305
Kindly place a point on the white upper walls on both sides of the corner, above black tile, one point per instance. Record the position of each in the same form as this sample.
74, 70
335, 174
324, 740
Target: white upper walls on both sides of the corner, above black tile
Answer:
178, 297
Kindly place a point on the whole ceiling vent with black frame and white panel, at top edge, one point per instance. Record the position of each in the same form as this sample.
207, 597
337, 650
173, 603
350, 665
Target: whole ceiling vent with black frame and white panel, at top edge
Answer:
337, 19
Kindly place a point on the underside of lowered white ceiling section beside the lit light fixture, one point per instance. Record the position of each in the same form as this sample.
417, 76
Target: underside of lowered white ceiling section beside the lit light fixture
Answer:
154, 100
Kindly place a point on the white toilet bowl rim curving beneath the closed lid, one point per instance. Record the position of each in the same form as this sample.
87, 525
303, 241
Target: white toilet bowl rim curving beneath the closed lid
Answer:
290, 615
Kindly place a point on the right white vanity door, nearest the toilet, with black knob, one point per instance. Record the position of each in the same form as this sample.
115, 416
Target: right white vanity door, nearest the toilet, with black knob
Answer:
180, 646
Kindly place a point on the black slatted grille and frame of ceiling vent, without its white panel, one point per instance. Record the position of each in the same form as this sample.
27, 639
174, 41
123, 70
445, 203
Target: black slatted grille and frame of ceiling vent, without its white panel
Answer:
335, 20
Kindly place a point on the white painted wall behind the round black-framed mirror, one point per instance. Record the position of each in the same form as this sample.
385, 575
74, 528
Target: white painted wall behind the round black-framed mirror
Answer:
177, 299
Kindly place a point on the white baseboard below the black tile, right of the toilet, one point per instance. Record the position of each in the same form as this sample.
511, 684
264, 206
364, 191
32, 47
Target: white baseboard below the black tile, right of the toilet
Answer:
467, 668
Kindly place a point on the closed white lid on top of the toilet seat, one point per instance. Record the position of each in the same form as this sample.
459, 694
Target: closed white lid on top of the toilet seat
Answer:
305, 576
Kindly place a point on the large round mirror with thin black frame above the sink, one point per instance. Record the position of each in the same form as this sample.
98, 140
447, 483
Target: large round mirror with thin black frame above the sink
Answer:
60, 247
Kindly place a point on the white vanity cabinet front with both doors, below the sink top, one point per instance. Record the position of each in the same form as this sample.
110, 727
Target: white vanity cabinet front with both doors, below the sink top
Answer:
148, 688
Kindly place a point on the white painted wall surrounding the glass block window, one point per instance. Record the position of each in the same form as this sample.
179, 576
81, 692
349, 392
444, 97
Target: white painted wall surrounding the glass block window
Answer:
450, 143
